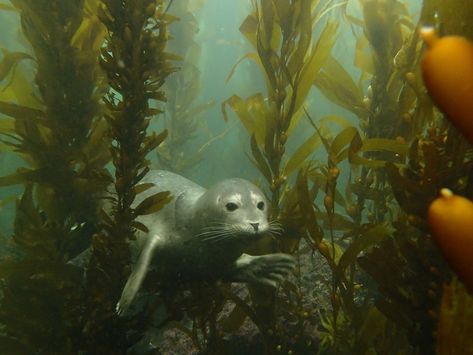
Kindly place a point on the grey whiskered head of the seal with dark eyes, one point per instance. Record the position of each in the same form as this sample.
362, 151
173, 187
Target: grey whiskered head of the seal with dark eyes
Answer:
232, 208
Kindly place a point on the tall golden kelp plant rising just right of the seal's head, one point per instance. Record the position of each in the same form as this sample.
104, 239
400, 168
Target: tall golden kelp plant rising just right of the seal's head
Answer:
289, 58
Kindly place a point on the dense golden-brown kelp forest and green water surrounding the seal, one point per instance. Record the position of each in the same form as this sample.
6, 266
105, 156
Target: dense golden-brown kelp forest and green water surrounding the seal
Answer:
349, 150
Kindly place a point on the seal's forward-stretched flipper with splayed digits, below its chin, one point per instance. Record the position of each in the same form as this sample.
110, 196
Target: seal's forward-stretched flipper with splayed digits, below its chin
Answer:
264, 269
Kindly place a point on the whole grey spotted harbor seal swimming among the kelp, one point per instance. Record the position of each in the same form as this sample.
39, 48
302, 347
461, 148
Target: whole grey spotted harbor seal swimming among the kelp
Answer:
202, 235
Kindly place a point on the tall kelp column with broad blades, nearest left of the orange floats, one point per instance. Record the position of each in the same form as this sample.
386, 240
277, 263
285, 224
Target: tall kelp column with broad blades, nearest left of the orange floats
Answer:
390, 114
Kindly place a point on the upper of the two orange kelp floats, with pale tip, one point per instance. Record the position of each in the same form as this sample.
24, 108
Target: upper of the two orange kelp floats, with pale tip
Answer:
447, 69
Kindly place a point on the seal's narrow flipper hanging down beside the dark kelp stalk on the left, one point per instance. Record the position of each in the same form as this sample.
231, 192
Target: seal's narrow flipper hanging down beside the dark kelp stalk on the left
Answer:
136, 277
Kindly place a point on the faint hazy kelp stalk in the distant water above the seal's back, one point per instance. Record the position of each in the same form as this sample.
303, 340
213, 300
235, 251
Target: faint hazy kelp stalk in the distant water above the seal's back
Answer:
183, 115
